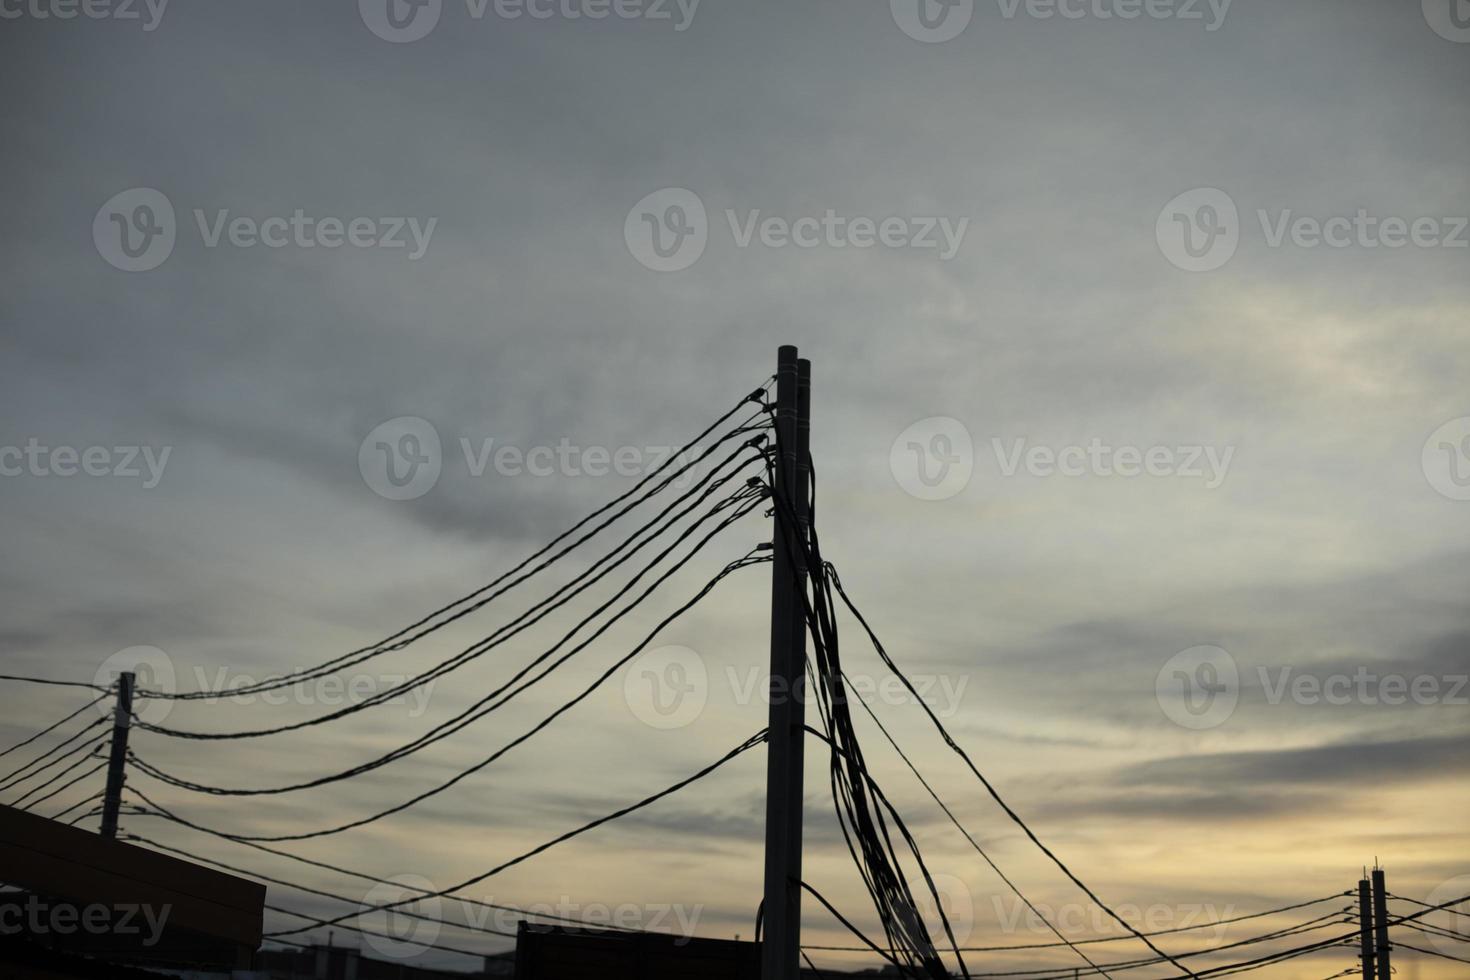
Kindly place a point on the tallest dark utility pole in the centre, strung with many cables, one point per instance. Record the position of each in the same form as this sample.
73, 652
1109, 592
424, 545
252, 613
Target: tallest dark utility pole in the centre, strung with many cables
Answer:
781, 947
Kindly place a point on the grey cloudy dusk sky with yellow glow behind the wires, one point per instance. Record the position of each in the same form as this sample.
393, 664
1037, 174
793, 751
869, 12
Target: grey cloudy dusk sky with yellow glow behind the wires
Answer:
1140, 337
